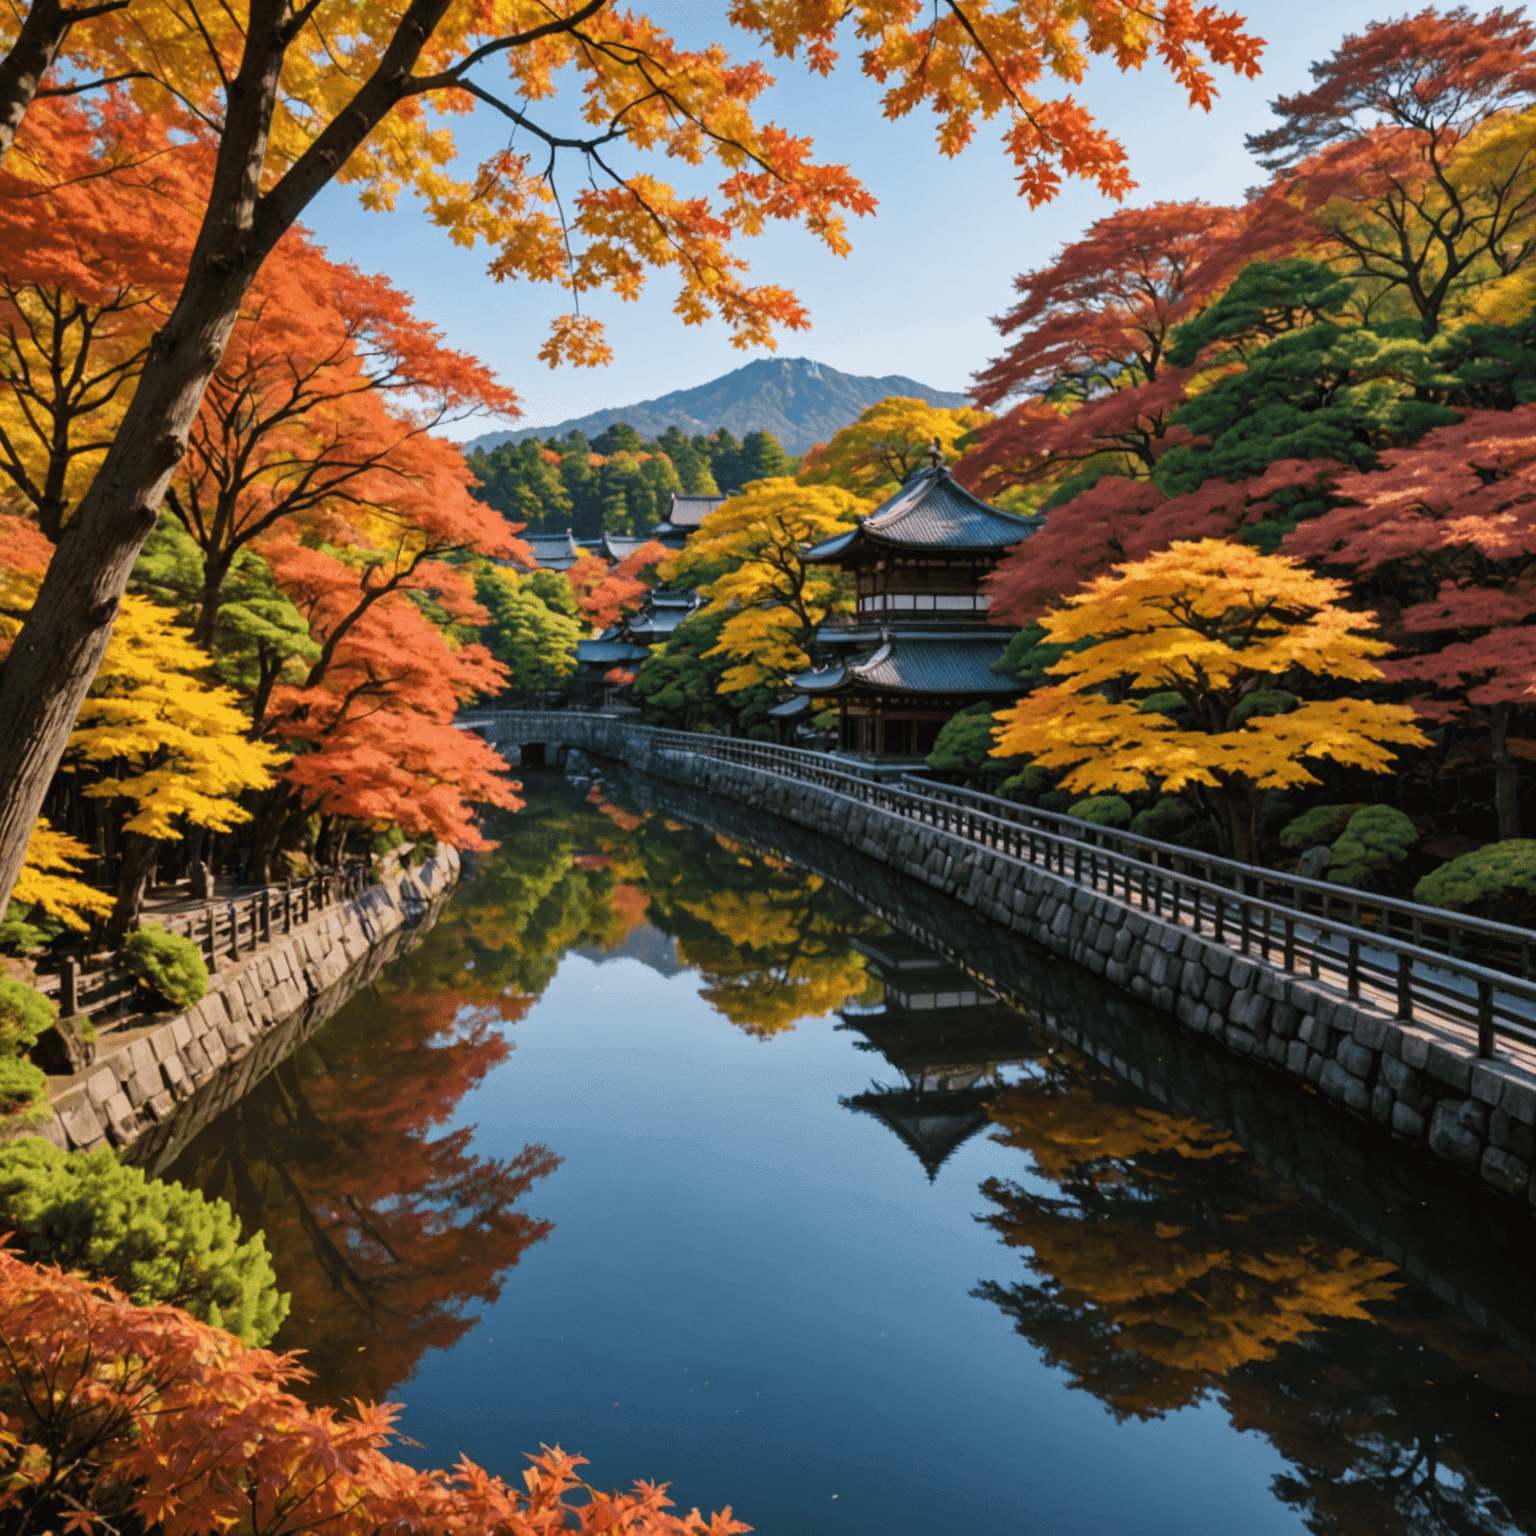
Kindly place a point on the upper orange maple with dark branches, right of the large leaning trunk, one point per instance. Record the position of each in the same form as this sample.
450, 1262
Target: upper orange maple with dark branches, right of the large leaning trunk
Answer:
325, 415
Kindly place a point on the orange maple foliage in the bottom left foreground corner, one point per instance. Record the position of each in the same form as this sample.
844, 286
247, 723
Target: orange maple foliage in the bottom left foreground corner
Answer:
113, 1412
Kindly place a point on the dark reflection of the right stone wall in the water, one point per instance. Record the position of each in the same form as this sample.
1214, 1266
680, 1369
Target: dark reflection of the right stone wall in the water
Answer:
1395, 1200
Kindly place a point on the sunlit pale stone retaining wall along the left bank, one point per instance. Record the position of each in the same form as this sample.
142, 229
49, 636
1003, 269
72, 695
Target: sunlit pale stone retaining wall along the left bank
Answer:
153, 1087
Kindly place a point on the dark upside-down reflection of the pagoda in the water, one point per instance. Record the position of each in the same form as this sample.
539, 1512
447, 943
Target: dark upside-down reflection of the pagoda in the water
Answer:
945, 1034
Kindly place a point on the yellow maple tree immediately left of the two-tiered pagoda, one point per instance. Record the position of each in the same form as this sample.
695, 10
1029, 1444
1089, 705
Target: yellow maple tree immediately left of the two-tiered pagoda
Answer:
773, 601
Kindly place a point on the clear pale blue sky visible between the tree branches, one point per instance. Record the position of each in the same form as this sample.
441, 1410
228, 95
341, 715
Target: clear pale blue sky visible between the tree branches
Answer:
929, 268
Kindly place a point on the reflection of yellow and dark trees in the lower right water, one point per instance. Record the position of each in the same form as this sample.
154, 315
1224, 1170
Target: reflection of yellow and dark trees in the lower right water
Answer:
1170, 1268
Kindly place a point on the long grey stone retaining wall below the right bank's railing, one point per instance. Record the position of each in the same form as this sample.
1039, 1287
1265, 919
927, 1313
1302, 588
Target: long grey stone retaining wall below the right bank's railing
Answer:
1415, 1082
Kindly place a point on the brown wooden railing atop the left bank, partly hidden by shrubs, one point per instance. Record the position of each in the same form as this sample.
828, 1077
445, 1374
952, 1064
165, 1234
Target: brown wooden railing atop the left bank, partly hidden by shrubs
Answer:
223, 930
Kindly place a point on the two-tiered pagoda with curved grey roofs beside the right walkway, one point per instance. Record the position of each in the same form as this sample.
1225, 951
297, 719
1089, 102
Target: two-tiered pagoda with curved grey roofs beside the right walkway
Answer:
919, 647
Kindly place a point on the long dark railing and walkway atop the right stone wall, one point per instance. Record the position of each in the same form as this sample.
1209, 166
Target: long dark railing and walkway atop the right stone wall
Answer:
1422, 964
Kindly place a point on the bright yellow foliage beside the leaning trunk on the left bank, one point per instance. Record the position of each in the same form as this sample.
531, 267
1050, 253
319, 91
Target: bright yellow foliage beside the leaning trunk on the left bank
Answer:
182, 740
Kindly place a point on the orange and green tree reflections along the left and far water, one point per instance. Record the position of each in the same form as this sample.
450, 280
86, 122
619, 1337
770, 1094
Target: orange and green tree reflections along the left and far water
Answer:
385, 1228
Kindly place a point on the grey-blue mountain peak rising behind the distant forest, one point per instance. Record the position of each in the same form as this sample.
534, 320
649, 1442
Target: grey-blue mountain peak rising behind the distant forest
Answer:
801, 402
